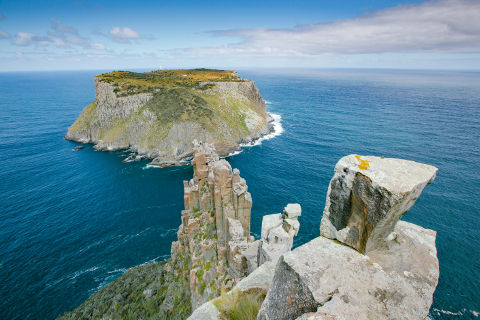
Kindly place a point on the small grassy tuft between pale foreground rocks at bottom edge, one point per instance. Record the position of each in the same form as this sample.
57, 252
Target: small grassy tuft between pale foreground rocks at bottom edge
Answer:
240, 305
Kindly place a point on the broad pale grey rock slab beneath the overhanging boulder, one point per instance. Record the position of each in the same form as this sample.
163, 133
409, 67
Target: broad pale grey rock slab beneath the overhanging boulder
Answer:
324, 279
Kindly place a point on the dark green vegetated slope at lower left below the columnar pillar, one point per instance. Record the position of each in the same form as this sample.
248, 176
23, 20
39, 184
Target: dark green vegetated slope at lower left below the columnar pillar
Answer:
143, 292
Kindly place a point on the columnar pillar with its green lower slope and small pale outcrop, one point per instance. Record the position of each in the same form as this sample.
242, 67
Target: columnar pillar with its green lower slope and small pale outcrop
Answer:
213, 253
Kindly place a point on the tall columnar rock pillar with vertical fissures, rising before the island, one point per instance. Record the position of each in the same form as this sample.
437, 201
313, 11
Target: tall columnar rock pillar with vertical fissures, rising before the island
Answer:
215, 229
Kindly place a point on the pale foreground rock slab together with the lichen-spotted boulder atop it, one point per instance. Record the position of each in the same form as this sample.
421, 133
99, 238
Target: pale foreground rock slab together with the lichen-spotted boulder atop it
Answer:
330, 279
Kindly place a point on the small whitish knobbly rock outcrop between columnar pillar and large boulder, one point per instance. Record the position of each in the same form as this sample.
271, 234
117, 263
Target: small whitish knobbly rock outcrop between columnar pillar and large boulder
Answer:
278, 231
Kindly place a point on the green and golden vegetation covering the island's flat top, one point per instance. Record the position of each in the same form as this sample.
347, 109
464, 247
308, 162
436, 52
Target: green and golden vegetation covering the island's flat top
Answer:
128, 83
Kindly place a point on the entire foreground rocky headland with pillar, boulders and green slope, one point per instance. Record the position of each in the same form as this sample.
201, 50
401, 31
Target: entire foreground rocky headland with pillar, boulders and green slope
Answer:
365, 264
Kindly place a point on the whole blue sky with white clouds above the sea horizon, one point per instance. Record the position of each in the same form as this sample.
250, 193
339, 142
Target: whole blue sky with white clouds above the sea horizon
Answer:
121, 35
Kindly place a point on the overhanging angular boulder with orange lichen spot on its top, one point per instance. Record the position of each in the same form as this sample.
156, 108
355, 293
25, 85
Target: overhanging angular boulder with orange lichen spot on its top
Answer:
368, 195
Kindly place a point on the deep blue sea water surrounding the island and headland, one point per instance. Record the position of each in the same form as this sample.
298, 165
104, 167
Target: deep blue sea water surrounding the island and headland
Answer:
72, 221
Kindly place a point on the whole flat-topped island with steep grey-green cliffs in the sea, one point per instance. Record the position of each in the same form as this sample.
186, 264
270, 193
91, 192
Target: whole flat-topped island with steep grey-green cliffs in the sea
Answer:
158, 114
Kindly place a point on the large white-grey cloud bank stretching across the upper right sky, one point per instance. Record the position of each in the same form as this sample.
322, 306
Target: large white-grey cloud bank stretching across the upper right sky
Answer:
440, 26
